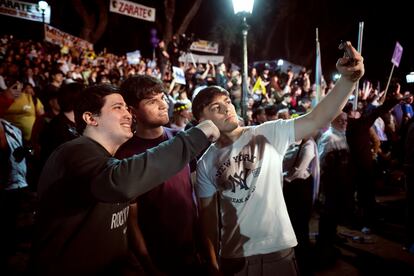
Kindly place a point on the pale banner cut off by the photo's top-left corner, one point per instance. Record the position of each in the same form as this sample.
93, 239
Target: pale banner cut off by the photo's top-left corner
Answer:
24, 10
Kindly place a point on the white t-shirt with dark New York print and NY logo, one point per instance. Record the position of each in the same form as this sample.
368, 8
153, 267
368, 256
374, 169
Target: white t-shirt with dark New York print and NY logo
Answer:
248, 177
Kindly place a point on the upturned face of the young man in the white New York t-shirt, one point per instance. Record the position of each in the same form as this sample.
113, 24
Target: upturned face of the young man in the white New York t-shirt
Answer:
222, 112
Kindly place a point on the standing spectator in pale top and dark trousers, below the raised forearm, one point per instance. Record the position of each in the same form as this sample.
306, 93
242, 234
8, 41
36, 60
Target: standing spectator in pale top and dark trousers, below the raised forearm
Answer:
337, 190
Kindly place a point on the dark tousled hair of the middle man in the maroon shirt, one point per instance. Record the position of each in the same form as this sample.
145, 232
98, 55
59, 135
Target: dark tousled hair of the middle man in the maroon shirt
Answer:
138, 87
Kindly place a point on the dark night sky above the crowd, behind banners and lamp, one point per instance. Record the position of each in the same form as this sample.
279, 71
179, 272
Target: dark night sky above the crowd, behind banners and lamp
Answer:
289, 25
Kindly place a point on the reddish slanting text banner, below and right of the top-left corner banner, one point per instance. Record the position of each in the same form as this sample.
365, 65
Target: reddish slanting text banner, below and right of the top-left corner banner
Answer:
56, 36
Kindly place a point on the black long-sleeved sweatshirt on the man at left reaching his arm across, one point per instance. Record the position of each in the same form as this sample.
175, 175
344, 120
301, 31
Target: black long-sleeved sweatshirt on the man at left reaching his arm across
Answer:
83, 202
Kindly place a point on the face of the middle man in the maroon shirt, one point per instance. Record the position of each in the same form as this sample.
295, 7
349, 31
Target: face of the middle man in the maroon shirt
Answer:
153, 111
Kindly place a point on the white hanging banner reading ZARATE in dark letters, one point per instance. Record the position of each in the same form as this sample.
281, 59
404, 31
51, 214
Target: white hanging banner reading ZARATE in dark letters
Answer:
132, 9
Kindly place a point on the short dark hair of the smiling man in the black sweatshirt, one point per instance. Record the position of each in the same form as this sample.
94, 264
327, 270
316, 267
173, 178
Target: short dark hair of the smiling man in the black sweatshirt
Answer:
92, 100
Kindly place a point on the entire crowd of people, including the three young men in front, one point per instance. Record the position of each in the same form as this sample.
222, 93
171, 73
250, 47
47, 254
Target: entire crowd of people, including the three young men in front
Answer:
131, 173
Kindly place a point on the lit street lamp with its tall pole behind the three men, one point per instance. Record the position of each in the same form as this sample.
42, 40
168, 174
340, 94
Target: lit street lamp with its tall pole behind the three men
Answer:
244, 8
